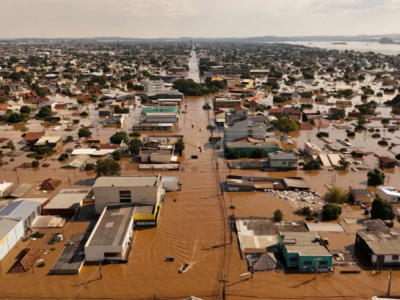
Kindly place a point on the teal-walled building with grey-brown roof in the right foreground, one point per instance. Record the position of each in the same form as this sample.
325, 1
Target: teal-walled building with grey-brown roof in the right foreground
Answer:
302, 249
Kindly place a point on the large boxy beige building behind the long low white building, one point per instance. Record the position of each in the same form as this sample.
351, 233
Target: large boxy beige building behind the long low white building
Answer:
127, 189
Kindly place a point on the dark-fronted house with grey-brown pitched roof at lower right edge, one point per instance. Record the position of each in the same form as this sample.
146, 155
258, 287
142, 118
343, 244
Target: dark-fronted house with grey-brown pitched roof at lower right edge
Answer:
379, 244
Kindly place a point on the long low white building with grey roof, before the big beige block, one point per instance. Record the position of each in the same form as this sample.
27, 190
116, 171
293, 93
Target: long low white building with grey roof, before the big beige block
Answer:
111, 236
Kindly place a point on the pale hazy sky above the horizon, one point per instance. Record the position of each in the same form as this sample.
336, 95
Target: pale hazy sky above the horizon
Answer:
196, 18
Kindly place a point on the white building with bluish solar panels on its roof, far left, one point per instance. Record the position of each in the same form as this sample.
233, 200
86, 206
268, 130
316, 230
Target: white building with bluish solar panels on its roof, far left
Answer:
28, 210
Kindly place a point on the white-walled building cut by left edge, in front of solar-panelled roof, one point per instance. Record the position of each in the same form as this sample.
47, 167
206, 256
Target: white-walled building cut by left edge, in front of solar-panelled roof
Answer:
11, 231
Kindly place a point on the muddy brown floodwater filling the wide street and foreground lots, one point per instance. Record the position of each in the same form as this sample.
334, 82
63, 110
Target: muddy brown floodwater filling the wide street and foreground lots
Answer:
193, 229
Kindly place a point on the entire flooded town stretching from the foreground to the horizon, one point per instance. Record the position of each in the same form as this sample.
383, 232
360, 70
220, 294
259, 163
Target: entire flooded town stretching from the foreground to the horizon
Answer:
198, 169
